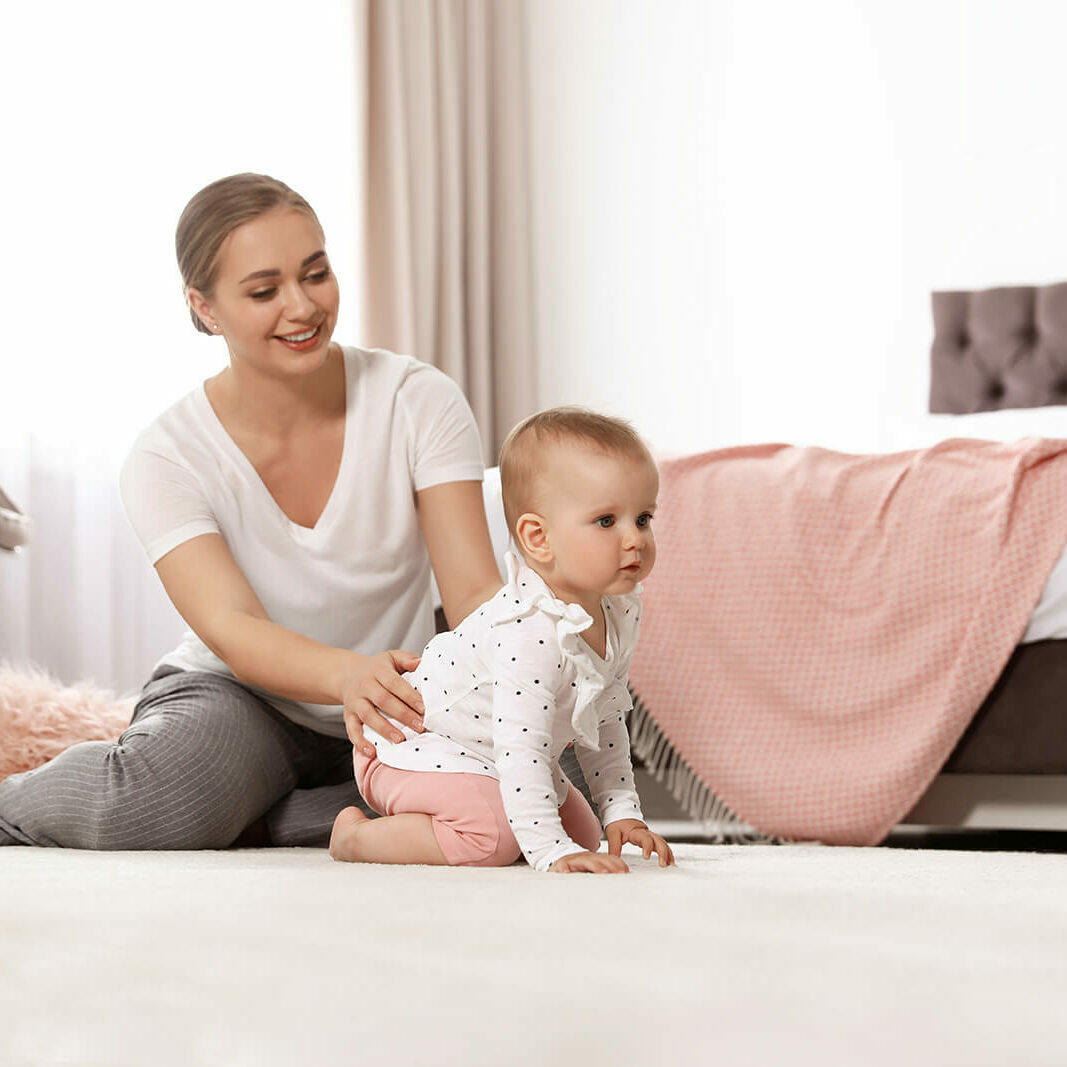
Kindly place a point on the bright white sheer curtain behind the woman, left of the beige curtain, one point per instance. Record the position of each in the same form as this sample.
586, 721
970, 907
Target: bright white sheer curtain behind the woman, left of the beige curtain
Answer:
123, 113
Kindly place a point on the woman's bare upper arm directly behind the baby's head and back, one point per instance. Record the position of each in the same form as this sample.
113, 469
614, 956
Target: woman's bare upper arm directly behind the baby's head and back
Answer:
453, 519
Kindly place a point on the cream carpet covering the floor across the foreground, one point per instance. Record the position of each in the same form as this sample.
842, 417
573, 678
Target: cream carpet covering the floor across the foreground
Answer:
741, 955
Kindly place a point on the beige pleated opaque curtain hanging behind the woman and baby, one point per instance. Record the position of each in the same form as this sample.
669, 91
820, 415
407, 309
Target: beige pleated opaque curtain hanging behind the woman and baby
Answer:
448, 232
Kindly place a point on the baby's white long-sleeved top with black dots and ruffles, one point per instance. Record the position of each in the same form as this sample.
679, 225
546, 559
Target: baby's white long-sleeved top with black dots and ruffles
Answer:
511, 689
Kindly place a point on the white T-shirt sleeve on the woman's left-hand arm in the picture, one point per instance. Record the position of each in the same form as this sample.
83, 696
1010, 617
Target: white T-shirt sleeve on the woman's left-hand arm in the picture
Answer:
164, 502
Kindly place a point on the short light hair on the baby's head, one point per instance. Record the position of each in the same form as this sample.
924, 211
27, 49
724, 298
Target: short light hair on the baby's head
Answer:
523, 454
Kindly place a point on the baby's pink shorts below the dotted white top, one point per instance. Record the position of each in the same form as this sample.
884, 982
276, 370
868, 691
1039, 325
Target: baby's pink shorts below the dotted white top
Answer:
468, 813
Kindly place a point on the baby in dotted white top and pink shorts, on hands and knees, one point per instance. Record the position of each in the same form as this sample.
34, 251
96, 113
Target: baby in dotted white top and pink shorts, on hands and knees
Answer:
542, 665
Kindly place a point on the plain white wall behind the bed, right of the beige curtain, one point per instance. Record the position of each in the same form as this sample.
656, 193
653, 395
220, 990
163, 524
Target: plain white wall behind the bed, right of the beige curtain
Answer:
741, 209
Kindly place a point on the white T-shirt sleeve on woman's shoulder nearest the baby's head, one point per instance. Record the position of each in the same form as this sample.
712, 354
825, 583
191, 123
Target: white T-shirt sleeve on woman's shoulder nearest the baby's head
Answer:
445, 444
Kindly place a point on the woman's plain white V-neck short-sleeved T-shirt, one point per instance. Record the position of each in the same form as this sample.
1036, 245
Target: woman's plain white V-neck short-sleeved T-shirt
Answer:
360, 579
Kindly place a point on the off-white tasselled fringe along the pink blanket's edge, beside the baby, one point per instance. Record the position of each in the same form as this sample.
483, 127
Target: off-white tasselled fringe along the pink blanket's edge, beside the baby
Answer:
718, 822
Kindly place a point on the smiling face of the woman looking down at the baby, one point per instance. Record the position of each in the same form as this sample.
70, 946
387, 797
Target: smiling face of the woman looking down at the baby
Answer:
276, 297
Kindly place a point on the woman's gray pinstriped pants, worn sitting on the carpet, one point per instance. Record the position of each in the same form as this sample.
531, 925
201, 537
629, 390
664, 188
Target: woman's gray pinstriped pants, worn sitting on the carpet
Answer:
203, 760
